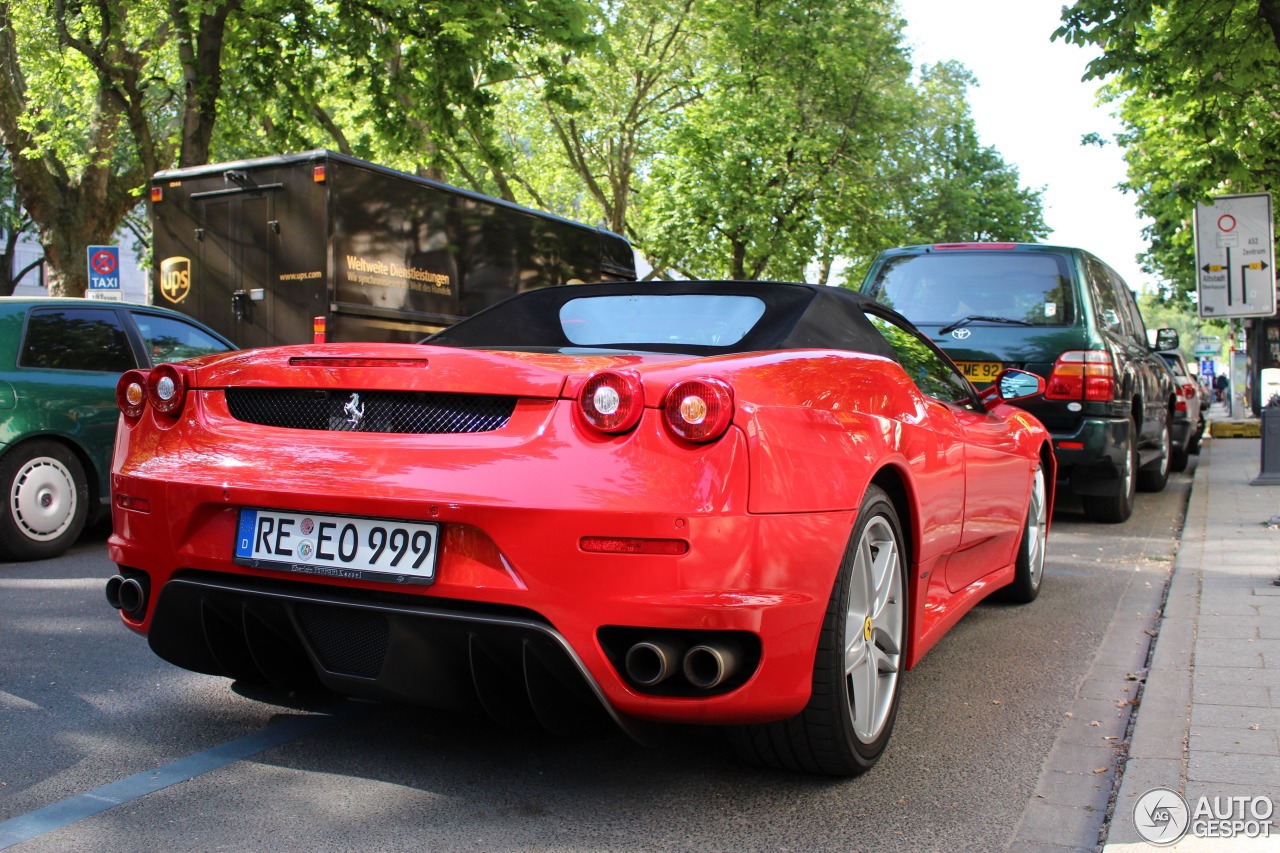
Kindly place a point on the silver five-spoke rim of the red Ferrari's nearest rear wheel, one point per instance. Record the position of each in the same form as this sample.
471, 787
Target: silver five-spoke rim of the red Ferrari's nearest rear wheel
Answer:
875, 624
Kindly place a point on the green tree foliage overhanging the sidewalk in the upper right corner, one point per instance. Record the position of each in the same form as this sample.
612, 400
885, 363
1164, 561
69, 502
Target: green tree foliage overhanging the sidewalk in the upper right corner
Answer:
1196, 86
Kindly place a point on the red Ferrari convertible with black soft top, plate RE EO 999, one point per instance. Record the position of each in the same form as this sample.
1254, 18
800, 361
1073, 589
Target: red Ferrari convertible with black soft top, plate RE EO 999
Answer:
747, 505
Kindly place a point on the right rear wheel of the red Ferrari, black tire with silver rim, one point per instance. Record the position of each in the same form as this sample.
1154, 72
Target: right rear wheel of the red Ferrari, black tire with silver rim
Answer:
862, 653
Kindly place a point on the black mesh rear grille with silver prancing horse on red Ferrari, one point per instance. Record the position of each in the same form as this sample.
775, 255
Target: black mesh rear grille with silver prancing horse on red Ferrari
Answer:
371, 412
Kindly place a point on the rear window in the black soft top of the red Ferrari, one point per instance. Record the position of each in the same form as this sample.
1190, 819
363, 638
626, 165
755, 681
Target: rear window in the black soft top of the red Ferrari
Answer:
668, 320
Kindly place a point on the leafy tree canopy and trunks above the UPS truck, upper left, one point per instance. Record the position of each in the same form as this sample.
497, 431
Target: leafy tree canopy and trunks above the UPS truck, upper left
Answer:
107, 94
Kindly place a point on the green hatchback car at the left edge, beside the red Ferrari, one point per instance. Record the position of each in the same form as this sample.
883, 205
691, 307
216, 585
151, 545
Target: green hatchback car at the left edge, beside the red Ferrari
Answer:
60, 363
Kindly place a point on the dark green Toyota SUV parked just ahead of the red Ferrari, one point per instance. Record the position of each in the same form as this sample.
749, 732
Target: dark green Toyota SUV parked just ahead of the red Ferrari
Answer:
1063, 314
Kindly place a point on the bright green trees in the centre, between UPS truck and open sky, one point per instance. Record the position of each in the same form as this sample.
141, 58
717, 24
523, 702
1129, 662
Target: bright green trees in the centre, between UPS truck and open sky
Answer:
774, 139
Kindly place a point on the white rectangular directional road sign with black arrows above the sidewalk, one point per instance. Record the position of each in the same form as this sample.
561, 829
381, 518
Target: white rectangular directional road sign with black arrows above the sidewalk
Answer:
1236, 257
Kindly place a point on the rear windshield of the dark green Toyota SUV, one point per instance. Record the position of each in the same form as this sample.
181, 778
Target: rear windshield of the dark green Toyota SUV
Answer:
943, 288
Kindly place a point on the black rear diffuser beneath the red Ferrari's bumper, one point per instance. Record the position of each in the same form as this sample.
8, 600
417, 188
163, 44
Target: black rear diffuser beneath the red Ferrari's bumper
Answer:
502, 662
